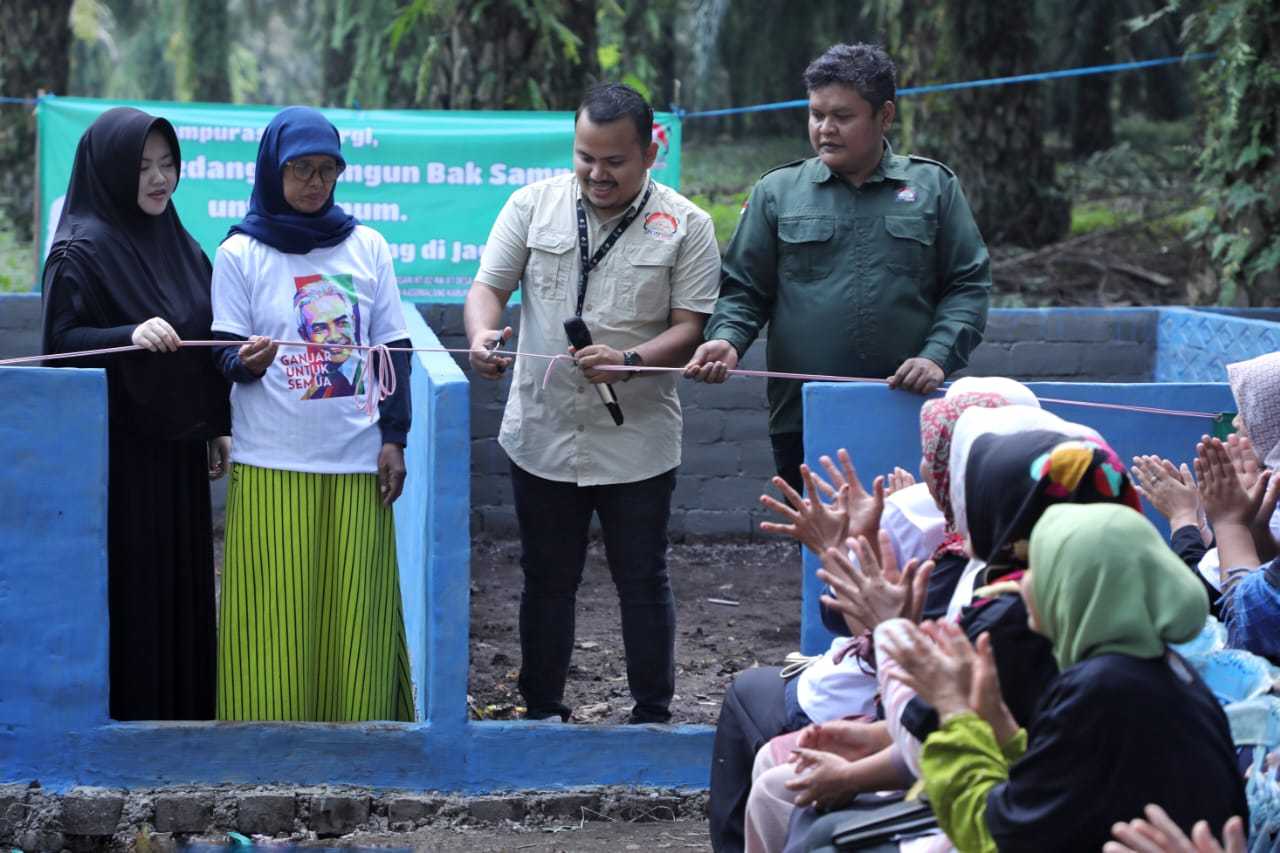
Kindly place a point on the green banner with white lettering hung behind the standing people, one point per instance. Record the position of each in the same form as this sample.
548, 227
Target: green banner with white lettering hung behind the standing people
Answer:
431, 183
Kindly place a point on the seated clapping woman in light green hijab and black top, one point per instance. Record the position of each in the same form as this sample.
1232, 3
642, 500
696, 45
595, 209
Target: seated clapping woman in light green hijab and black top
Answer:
1116, 728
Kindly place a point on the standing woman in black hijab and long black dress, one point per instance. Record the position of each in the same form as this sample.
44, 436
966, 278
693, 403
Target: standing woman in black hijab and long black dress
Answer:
124, 271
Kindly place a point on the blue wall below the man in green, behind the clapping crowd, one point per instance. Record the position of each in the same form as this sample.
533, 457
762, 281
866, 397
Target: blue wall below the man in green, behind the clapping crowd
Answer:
881, 430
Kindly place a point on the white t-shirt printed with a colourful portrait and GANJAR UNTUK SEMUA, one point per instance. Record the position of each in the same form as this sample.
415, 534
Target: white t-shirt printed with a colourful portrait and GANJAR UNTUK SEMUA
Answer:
304, 414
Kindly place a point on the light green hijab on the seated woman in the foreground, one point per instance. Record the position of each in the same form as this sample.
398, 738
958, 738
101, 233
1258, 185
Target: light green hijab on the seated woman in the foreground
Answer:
1104, 582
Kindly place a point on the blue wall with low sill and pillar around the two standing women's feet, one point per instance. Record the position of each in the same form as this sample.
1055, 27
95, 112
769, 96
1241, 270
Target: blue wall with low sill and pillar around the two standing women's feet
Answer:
54, 638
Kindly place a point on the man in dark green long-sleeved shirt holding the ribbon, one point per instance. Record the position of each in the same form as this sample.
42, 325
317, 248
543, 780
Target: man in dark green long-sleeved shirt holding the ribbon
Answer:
863, 263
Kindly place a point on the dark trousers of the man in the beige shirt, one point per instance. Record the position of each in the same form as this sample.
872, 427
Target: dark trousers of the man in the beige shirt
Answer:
555, 521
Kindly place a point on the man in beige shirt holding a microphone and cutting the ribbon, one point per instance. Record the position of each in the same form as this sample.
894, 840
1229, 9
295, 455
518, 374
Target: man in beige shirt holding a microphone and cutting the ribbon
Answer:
652, 279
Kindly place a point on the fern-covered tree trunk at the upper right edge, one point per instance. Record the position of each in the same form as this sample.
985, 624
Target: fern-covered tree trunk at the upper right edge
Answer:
1238, 171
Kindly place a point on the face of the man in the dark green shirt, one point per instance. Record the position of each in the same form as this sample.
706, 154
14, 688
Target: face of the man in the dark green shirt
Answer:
845, 133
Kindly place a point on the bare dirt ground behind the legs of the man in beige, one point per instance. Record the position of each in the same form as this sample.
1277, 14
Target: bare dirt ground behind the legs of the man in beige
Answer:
714, 641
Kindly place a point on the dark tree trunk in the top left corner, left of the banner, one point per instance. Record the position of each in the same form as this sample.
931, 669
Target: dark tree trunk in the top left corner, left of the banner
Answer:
35, 44
